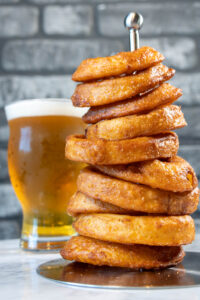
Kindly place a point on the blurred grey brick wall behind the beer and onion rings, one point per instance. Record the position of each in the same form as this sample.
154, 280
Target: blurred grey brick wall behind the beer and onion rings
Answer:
42, 42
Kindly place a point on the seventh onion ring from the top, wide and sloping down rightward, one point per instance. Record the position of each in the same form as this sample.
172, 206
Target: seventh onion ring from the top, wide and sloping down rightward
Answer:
135, 197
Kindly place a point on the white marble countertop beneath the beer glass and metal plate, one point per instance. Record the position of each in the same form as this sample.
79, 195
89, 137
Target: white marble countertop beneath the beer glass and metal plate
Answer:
18, 280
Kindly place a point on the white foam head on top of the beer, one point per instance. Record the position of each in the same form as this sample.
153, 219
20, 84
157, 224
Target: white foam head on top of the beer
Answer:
43, 107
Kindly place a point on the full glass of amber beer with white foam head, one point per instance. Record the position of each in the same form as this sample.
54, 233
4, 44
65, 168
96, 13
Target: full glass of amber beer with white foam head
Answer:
42, 178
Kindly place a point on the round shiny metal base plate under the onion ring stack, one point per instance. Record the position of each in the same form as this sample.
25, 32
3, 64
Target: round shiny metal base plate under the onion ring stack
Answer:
186, 274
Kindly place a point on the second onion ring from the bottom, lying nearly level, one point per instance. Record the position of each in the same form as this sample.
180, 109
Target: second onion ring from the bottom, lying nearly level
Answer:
146, 230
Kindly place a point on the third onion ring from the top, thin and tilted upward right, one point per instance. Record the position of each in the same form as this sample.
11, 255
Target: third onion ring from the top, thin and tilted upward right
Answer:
164, 94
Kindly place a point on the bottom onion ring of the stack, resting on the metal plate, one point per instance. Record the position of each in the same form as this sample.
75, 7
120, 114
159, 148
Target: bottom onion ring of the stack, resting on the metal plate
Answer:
91, 251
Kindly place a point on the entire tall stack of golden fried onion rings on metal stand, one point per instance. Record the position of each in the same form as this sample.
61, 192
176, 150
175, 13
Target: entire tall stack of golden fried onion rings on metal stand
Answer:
133, 203
